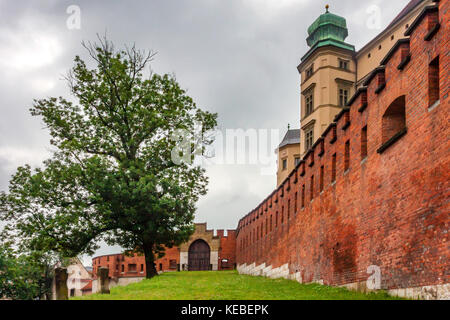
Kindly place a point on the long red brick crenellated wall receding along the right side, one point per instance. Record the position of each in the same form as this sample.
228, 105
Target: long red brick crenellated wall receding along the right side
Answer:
390, 209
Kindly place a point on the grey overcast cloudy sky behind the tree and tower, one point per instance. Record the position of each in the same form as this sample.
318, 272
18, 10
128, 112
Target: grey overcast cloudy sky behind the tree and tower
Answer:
235, 57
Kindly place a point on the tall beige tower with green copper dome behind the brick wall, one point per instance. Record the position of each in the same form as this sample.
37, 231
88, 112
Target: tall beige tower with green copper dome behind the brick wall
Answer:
328, 76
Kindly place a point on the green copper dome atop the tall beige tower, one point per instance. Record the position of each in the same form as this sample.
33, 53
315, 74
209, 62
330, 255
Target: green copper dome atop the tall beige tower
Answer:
328, 29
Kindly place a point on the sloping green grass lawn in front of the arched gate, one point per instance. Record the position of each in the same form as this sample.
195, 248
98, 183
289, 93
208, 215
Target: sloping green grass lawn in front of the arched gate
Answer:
227, 285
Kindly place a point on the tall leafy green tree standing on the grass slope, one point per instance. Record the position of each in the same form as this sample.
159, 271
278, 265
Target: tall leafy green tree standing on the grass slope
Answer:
115, 174
